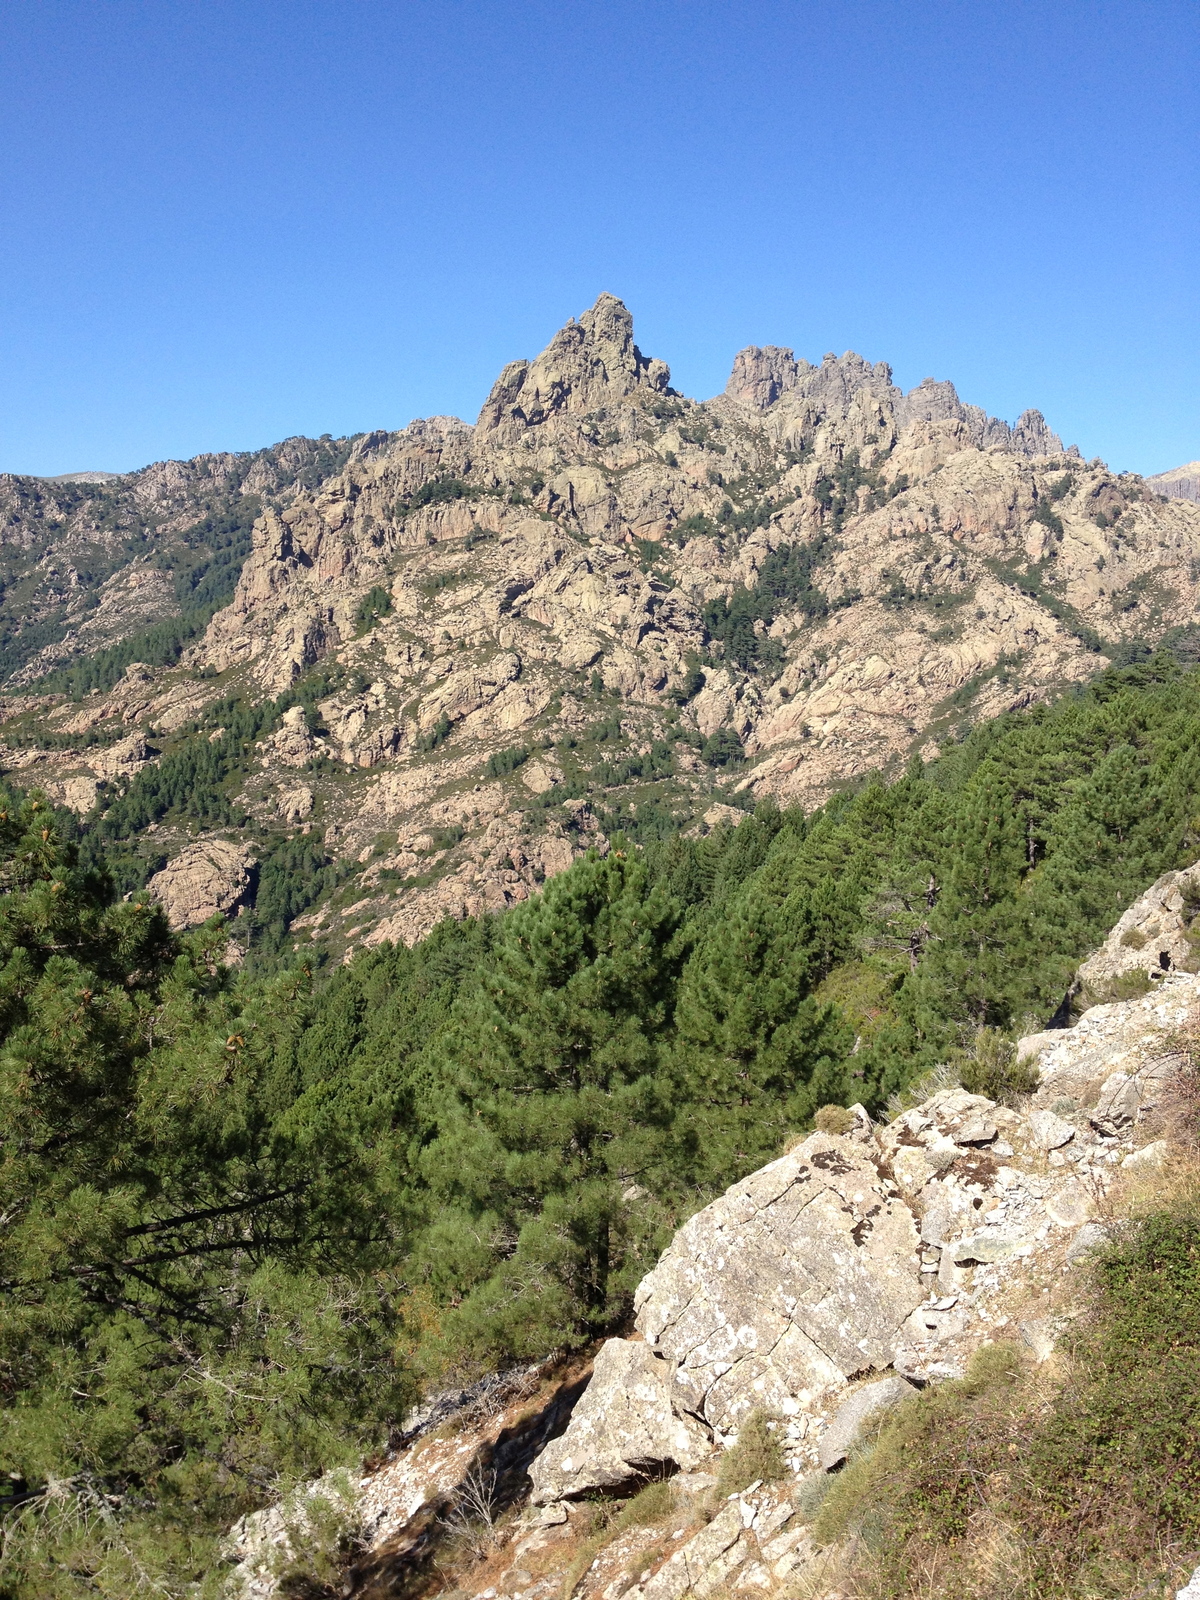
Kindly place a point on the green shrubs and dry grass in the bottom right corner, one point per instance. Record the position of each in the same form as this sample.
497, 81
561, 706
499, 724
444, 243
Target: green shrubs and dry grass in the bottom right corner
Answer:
1090, 1492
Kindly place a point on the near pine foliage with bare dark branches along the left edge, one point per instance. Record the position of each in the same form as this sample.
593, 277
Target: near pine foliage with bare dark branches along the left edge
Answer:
194, 1263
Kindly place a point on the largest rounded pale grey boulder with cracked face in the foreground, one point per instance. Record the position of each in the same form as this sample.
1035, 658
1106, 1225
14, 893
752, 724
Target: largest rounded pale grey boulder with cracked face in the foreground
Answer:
798, 1279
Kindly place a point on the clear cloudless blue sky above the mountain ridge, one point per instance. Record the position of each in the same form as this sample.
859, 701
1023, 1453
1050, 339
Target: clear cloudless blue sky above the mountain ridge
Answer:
226, 223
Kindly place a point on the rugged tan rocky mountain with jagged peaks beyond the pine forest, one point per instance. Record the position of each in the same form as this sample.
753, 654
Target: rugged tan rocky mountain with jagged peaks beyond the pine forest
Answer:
476, 650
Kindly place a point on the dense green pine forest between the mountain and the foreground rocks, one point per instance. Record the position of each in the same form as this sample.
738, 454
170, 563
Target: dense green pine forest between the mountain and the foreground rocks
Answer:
249, 1218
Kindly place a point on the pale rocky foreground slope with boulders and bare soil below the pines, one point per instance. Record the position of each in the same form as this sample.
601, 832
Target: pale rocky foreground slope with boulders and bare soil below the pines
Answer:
823, 1290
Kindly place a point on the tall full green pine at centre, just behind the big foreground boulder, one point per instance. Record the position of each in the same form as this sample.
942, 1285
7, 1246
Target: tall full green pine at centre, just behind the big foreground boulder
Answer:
548, 1095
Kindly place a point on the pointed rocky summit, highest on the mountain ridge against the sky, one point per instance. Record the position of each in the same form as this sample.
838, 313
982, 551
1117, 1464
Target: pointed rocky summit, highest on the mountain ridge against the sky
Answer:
586, 366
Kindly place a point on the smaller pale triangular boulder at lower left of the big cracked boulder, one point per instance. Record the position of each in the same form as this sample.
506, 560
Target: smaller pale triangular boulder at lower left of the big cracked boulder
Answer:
626, 1425
